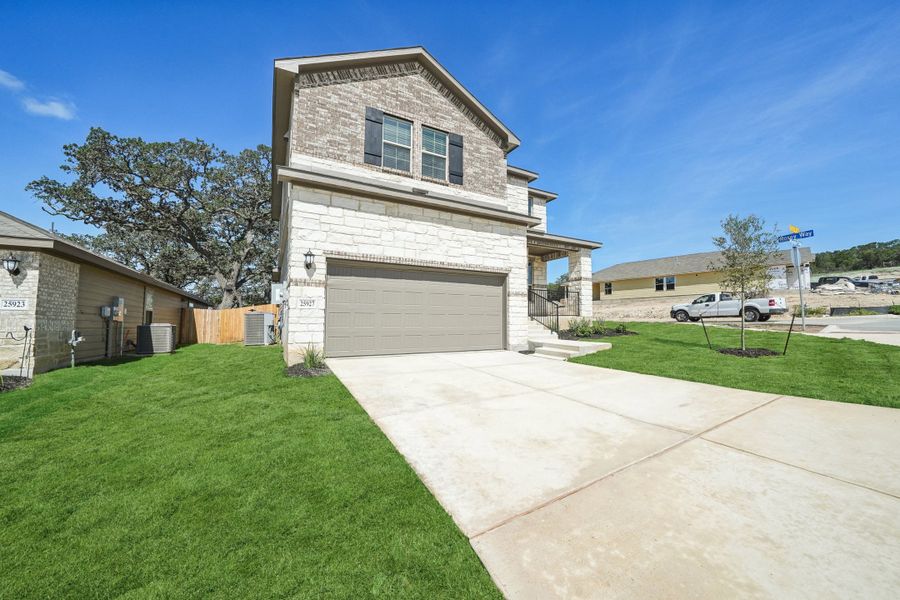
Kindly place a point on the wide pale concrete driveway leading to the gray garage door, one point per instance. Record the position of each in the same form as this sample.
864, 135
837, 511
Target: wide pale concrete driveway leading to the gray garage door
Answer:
579, 482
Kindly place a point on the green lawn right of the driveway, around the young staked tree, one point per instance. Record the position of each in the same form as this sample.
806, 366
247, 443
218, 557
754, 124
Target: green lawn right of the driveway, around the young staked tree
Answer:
830, 369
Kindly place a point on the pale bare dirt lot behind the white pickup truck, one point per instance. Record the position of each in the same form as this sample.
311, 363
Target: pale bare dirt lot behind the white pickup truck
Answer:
653, 309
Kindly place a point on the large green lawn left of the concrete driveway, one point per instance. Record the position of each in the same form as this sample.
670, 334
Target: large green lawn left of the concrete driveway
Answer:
209, 474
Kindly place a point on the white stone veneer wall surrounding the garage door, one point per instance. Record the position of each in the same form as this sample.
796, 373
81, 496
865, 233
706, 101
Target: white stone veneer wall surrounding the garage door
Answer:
350, 227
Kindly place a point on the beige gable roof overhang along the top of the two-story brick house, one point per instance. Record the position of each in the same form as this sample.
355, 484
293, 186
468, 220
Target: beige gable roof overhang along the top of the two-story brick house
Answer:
286, 69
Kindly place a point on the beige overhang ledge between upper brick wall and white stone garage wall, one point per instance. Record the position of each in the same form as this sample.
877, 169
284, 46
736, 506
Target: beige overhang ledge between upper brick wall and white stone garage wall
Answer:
399, 193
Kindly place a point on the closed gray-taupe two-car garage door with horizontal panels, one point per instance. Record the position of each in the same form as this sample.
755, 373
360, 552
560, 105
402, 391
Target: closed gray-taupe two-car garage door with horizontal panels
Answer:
383, 309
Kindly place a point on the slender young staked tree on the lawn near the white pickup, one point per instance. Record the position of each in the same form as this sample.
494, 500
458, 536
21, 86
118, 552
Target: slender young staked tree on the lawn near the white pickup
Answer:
747, 249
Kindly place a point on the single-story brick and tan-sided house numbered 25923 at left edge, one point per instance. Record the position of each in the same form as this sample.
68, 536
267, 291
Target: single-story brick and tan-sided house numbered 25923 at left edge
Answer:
58, 287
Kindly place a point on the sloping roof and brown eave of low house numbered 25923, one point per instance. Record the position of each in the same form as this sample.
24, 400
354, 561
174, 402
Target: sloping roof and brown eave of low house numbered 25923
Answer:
16, 233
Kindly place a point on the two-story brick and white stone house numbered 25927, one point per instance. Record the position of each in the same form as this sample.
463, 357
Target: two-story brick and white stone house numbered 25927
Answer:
403, 228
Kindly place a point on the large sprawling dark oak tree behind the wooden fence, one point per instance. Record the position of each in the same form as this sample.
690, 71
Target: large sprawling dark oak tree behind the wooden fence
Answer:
184, 211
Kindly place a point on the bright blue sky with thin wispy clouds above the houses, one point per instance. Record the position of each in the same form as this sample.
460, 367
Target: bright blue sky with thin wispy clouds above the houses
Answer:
651, 120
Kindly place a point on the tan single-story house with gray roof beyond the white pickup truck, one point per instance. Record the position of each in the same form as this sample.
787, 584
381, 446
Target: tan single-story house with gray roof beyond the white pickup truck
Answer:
686, 275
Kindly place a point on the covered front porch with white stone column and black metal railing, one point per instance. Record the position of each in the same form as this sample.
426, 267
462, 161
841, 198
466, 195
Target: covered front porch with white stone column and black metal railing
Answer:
549, 304
